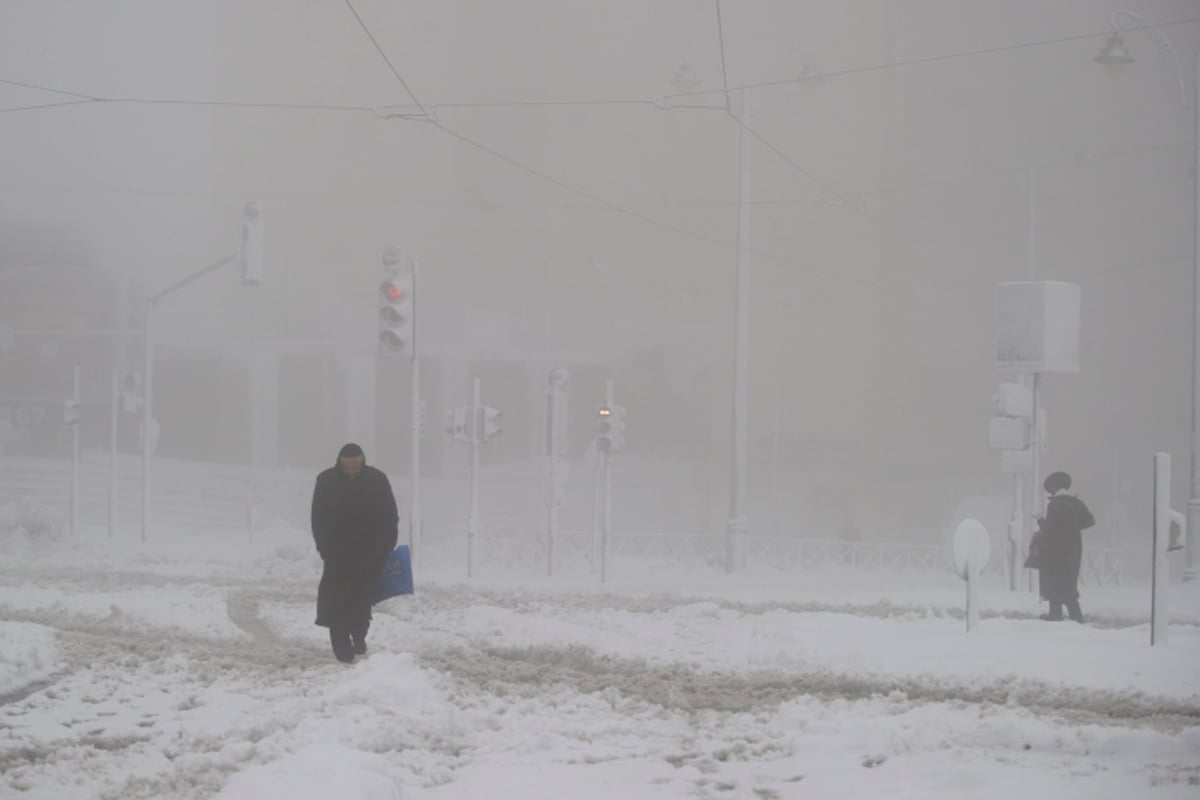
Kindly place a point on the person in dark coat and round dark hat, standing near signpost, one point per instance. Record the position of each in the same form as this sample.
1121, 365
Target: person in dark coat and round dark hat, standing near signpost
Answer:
1061, 552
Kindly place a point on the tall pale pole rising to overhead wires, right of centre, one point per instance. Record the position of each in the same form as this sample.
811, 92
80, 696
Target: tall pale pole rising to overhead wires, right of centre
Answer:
736, 527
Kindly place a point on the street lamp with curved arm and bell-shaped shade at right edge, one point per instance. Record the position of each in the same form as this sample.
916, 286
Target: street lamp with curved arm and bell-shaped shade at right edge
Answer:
1115, 58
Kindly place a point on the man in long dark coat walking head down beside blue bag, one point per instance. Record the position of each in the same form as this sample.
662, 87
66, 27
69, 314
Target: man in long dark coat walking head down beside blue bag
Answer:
355, 521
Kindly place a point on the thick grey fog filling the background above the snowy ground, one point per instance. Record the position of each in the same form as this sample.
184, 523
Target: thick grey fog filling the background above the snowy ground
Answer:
567, 177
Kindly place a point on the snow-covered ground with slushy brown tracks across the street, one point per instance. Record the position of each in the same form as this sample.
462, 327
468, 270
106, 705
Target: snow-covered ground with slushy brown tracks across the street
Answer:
190, 667
